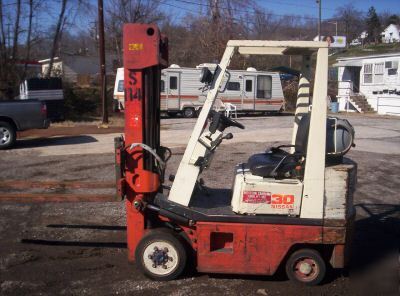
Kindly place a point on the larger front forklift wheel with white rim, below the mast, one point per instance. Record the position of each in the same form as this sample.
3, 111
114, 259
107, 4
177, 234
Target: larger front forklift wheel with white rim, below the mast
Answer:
161, 238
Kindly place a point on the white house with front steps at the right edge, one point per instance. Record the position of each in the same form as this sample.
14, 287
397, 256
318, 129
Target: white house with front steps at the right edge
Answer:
369, 84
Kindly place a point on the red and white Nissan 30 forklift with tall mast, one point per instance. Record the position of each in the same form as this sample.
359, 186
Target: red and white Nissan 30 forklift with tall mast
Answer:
290, 207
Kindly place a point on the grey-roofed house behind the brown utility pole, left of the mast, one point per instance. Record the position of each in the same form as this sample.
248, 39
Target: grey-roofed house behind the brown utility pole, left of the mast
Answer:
79, 69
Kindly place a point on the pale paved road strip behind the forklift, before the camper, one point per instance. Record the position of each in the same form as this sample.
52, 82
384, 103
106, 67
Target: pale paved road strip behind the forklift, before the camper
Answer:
373, 134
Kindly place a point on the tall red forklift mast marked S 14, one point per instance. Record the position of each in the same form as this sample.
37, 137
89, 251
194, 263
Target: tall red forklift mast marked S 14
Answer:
138, 175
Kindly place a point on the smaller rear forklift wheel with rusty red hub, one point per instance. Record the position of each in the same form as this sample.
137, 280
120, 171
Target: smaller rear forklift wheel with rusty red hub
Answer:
313, 271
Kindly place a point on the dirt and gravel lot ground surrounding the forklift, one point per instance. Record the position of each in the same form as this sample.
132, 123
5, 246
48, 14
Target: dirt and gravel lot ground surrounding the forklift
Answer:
79, 249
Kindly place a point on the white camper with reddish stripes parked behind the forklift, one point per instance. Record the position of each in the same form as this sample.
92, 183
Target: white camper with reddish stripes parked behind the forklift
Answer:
182, 92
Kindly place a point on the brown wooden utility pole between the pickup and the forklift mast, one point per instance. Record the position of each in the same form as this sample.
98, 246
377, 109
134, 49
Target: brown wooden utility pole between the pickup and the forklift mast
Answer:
103, 84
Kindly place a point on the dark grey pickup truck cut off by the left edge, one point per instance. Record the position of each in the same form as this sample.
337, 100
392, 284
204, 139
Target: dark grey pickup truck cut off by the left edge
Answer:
20, 115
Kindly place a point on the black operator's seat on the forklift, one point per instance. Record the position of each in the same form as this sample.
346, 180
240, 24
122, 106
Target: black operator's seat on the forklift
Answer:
277, 162
